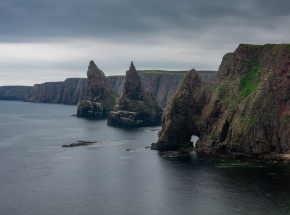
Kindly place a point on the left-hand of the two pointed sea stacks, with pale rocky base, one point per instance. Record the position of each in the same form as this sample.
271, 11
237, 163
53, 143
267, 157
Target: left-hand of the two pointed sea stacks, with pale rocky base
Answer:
100, 98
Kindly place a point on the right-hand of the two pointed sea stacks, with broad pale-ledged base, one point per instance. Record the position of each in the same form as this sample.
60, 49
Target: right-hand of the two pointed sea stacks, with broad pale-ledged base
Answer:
135, 107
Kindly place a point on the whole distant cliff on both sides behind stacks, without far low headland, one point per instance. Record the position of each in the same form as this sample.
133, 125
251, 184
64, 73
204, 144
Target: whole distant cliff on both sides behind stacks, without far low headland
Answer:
162, 84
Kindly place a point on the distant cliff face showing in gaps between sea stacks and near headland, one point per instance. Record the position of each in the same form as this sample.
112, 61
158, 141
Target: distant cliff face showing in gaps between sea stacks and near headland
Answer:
162, 84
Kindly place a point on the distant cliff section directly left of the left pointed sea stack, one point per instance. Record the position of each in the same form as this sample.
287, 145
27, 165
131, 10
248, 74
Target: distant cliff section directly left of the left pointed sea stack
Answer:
67, 92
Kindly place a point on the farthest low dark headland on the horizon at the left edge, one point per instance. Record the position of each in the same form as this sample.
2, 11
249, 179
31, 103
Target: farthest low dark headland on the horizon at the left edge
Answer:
15, 92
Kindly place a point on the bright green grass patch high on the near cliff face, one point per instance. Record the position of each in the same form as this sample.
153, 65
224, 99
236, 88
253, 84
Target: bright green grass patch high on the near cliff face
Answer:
251, 81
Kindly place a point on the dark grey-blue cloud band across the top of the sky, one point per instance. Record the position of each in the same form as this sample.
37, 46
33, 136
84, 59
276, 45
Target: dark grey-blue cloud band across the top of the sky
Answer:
21, 20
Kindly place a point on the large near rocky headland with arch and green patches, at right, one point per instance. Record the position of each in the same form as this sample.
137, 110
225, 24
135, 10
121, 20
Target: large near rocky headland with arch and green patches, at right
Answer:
246, 112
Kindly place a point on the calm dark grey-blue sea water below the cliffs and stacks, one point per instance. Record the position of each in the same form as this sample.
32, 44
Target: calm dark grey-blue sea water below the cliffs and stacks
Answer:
39, 177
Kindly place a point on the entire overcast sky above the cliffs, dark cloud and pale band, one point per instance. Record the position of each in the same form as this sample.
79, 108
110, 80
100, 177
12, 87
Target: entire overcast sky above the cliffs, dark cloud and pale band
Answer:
51, 40
